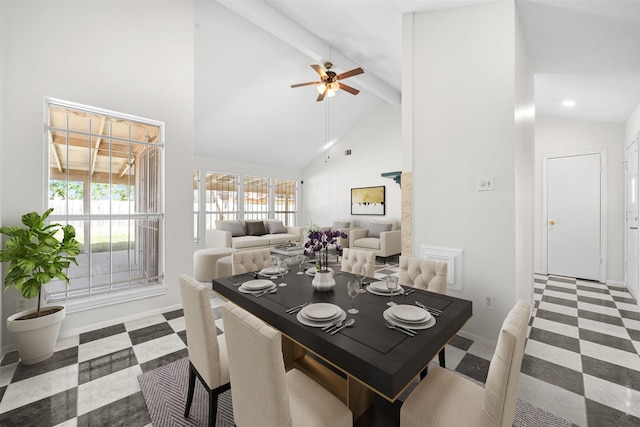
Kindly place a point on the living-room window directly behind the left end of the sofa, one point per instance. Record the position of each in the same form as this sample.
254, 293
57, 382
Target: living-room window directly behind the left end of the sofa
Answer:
221, 197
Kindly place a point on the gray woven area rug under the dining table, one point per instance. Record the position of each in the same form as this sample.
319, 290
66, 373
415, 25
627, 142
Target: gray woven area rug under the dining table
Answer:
165, 393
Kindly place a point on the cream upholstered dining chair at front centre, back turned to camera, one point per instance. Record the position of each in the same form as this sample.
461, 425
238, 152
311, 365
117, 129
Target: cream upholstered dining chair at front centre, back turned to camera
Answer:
263, 394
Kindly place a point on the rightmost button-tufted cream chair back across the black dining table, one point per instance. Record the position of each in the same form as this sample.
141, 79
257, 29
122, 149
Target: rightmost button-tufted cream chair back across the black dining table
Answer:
423, 273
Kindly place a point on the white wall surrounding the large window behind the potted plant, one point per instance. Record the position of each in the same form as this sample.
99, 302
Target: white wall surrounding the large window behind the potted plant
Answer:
134, 57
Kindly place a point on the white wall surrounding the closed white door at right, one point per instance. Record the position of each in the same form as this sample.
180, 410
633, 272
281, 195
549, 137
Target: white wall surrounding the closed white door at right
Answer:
560, 136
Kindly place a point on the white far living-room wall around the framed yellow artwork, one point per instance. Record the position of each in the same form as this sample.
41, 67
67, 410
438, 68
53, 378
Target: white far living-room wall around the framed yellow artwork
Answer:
375, 148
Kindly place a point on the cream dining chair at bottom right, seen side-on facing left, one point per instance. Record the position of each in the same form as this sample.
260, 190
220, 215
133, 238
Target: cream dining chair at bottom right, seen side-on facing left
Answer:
444, 398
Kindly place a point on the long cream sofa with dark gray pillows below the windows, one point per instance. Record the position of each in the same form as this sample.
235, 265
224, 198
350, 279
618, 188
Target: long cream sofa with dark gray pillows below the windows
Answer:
247, 234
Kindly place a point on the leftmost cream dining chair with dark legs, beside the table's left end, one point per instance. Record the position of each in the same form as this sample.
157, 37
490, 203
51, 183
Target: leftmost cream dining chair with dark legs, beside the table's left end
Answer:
207, 351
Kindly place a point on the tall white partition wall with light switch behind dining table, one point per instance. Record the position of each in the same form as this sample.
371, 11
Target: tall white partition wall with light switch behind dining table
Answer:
468, 81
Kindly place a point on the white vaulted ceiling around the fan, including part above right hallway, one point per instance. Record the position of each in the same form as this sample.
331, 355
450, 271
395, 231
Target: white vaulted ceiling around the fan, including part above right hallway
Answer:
249, 52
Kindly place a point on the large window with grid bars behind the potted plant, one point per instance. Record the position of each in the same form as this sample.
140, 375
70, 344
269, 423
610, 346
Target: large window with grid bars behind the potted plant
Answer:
105, 177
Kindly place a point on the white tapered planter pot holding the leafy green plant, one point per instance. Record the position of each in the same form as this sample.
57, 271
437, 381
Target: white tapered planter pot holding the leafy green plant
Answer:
36, 338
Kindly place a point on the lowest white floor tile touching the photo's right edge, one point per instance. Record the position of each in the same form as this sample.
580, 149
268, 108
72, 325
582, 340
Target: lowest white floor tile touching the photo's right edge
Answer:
616, 396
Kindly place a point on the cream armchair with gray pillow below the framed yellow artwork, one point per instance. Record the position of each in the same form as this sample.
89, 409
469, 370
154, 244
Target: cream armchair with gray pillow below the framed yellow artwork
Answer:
382, 238
